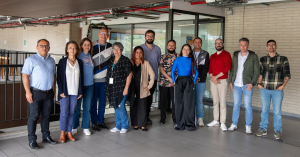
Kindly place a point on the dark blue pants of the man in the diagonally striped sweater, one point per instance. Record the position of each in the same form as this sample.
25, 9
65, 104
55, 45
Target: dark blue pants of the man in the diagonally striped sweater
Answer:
99, 93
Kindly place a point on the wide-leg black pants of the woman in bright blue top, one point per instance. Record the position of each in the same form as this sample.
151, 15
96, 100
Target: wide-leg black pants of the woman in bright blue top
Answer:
185, 103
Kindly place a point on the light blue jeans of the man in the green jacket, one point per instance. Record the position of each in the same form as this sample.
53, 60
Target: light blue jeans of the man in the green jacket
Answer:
238, 92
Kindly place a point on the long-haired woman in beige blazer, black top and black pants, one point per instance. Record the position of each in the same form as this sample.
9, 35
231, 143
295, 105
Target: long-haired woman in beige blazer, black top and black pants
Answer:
140, 88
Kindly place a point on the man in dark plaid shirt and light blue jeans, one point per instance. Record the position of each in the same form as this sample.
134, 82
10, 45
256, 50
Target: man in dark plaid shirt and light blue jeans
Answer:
274, 75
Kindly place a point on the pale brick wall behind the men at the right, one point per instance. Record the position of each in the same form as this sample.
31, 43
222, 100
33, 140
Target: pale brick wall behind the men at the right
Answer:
259, 23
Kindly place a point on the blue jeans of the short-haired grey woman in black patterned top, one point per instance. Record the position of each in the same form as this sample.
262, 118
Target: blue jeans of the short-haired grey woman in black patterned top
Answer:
122, 121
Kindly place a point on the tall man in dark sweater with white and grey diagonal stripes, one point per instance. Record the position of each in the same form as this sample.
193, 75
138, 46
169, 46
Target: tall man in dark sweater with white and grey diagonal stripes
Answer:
102, 51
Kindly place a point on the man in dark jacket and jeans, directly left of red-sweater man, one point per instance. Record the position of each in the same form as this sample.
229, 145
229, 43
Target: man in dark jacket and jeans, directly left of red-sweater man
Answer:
202, 61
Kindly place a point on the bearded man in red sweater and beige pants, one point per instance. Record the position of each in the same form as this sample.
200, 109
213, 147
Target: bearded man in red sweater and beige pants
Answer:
220, 64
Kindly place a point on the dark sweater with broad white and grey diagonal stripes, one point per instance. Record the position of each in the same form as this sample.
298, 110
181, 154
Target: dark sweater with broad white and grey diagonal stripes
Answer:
101, 56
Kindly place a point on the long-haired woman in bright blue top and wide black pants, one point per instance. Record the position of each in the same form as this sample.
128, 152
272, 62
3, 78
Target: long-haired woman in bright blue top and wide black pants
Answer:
184, 89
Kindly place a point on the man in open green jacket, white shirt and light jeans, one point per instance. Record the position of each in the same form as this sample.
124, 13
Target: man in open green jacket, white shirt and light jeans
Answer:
243, 76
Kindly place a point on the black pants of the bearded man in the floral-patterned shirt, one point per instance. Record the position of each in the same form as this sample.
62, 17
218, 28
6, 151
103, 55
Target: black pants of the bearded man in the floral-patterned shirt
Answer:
166, 96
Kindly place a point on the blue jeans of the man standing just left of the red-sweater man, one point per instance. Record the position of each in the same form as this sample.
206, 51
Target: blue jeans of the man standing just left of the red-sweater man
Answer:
199, 93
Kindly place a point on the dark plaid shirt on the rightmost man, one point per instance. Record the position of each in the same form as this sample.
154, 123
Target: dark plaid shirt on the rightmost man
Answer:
273, 71
